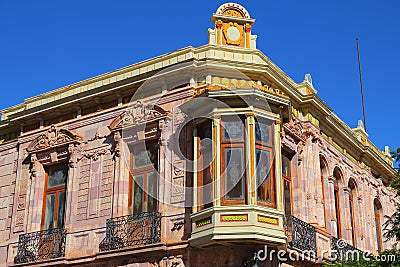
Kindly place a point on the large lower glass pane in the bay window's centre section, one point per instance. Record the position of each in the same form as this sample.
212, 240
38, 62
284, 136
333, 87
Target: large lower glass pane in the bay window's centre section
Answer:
234, 173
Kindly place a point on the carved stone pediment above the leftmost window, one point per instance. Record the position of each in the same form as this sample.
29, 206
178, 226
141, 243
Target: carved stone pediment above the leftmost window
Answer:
52, 138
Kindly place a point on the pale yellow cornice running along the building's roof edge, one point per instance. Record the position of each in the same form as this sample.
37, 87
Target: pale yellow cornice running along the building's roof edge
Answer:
243, 59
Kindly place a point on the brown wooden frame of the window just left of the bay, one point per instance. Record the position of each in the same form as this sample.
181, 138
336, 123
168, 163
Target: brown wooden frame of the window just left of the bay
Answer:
142, 171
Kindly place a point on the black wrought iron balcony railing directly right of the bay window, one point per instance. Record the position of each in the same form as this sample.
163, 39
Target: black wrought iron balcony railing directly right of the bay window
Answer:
301, 235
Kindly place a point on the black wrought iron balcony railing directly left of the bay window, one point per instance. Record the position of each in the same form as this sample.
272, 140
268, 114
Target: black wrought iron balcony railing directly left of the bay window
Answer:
132, 231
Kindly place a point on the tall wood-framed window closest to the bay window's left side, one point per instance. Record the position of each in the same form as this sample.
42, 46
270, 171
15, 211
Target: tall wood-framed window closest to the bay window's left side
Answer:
143, 177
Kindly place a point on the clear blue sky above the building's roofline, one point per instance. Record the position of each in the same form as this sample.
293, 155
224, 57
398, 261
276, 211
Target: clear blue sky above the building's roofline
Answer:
48, 44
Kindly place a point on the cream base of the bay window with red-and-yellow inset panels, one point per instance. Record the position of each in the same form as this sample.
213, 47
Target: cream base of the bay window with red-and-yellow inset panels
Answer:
242, 224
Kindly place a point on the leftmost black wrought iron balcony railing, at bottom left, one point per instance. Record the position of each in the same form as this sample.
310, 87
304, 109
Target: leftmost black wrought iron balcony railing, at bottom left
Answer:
42, 245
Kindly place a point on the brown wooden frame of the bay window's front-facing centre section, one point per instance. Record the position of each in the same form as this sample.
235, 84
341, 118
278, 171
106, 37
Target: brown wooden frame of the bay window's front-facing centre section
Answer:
235, 143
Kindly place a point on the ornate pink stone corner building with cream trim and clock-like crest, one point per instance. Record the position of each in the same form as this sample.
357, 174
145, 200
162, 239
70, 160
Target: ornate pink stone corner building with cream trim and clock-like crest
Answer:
204, 156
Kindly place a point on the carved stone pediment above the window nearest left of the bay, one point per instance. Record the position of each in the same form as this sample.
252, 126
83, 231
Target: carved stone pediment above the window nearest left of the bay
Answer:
138, 114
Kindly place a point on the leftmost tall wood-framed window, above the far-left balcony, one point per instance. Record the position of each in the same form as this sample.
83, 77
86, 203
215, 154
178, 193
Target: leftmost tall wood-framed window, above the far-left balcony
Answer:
54, 197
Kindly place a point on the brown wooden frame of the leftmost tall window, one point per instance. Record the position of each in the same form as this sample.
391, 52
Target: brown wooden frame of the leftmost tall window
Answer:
55, 190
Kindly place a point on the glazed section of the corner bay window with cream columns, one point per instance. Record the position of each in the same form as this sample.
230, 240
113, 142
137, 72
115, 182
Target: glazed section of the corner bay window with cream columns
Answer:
245, 147
